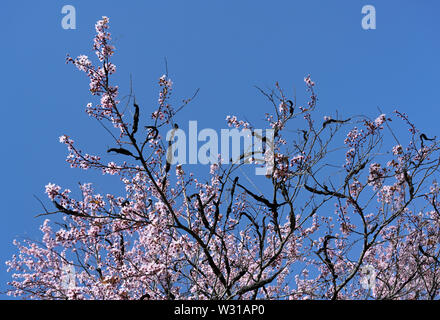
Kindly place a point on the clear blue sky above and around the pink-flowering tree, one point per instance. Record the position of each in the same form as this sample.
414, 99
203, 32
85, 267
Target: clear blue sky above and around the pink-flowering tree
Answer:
222, 47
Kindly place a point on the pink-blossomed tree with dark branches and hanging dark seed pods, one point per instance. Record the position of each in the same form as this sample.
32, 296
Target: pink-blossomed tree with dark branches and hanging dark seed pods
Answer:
338, 219
